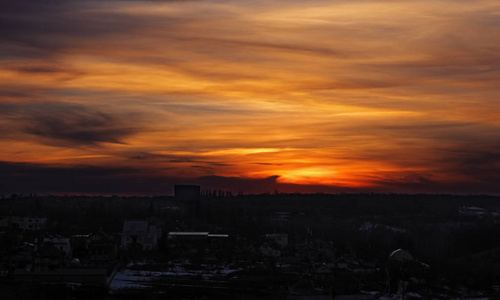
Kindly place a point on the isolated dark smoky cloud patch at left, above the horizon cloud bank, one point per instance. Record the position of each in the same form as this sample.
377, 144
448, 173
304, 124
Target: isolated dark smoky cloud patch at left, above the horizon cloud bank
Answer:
67, 124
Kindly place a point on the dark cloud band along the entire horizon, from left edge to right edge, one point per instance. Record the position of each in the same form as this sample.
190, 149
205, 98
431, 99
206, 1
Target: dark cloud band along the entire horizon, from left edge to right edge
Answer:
29, 177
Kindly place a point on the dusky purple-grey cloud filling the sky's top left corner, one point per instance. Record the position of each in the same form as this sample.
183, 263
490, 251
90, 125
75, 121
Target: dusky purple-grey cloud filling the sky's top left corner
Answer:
49, 29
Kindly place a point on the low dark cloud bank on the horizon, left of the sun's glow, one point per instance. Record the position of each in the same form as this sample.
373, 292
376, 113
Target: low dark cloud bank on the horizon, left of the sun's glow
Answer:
29, 177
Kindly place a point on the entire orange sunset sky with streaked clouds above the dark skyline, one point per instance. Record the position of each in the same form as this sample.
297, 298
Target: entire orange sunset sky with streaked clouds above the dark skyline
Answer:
132, 97
